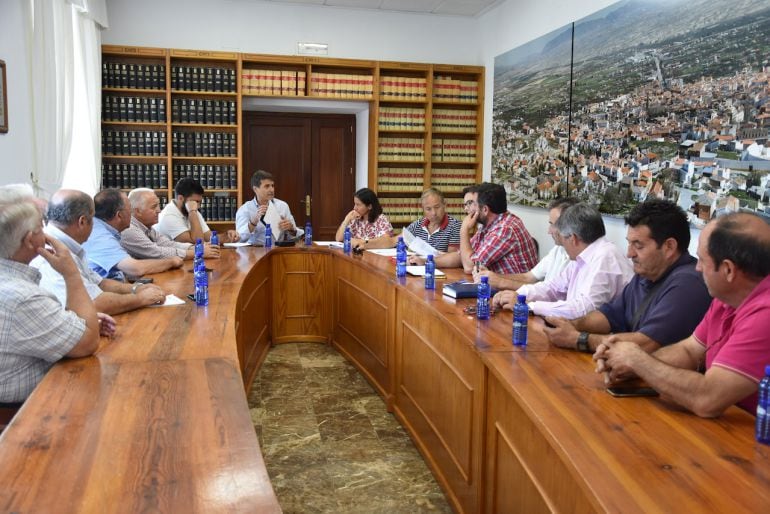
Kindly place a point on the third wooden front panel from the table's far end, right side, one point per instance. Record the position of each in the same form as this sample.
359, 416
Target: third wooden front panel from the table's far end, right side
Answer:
440, 387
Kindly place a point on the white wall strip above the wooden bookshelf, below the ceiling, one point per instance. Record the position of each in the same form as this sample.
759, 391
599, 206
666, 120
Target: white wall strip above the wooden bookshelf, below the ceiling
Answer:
261, 27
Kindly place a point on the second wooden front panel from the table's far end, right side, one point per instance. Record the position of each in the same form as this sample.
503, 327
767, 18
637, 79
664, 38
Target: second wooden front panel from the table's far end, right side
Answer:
364, 316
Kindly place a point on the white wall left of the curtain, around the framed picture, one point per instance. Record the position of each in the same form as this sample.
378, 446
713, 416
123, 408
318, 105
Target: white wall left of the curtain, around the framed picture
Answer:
16, 159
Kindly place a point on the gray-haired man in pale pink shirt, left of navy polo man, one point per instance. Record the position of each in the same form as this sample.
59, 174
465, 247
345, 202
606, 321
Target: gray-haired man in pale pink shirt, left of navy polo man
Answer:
597, 273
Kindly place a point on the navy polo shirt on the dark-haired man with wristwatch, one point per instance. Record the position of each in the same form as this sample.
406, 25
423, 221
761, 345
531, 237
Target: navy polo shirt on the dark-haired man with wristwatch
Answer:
672, 315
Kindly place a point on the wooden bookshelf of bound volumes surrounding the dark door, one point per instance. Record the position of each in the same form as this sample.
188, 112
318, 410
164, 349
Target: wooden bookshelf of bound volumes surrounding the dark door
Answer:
425, 120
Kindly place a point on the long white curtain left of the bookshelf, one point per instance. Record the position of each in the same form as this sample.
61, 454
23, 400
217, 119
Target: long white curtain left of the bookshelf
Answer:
65, 50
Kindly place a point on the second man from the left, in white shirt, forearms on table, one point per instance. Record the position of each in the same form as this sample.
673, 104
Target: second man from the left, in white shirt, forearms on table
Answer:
70, 220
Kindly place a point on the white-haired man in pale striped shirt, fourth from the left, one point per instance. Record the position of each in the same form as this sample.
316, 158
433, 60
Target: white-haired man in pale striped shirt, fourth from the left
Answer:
141, 241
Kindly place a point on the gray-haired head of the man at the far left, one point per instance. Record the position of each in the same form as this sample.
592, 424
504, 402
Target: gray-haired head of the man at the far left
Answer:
18, 216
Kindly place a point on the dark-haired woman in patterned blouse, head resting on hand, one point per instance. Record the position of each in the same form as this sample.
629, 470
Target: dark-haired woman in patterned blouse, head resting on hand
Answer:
369, 227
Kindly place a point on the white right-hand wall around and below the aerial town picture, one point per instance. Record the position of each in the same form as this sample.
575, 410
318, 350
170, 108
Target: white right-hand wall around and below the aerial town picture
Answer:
505, 27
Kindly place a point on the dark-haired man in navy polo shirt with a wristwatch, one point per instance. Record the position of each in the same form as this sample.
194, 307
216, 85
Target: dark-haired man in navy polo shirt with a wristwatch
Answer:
664, 301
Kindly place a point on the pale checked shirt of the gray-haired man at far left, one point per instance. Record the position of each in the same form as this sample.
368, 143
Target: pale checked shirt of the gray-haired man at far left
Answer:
35, 331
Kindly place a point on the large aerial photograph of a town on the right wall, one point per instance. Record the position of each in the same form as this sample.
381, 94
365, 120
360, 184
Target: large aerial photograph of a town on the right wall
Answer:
645, 98
